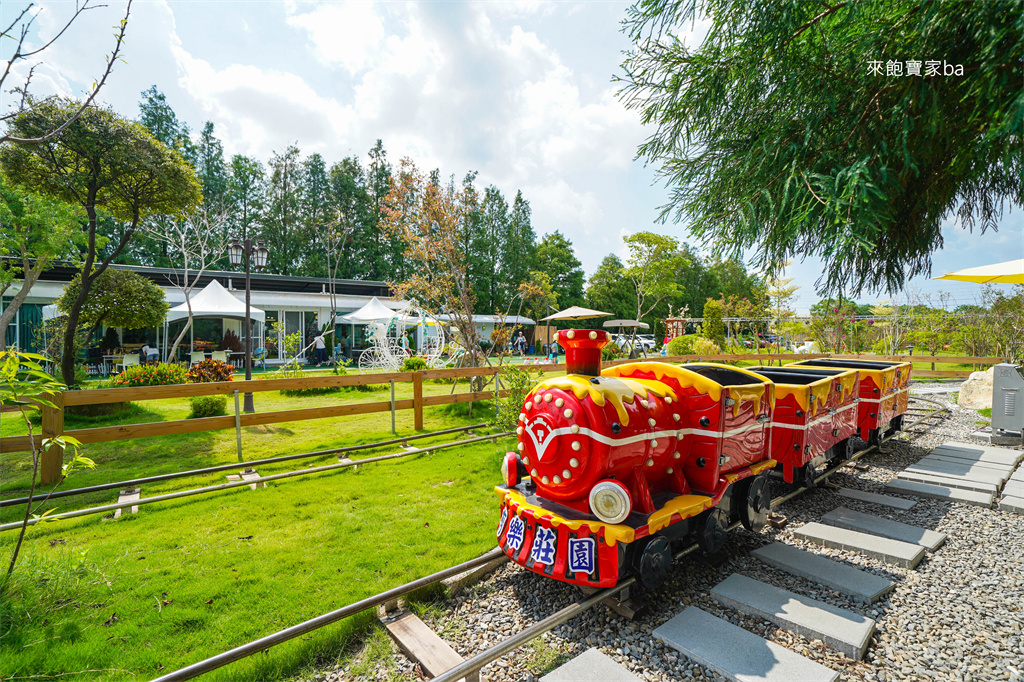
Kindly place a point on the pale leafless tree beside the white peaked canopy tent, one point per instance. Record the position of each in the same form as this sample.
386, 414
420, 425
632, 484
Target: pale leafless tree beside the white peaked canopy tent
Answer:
196, 242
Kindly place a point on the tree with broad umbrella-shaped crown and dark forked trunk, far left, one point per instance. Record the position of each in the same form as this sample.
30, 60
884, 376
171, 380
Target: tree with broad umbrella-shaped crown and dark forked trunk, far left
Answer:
100, 162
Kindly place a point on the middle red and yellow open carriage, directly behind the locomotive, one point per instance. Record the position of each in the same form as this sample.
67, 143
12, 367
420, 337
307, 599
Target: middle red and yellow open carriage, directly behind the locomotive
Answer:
815, 419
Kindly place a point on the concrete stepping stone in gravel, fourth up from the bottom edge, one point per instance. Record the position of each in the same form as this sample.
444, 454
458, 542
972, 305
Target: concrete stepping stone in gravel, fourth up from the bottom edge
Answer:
861, 585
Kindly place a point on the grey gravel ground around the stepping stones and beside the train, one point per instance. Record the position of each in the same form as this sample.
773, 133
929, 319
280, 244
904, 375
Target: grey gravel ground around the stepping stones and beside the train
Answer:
959, 616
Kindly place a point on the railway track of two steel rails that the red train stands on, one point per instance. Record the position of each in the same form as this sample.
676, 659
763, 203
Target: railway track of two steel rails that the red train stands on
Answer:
471, 667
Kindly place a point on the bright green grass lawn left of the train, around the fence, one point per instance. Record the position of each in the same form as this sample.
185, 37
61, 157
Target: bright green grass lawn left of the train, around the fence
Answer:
133, 599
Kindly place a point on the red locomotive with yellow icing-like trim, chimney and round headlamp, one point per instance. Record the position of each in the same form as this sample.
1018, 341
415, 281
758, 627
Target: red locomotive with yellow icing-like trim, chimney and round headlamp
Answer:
613, 466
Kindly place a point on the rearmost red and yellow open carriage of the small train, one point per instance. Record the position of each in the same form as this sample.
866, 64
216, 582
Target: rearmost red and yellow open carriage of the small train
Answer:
885, 393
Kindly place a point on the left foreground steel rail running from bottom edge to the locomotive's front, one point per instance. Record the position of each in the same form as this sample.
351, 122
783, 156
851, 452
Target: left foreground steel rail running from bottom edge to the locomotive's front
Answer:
265, 644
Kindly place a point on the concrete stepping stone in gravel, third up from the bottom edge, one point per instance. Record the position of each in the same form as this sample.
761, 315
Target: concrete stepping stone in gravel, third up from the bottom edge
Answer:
844, 631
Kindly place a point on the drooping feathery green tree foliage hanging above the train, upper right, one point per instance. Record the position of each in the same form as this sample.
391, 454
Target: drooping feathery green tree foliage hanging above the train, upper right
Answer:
797, 129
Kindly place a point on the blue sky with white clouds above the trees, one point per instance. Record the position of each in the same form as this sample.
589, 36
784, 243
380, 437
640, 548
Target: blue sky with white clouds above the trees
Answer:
522, 93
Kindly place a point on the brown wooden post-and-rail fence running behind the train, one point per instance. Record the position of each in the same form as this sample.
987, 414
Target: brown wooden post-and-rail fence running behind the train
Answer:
53, 418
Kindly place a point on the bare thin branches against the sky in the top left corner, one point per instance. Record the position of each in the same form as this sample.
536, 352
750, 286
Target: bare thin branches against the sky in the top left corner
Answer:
19, 30
